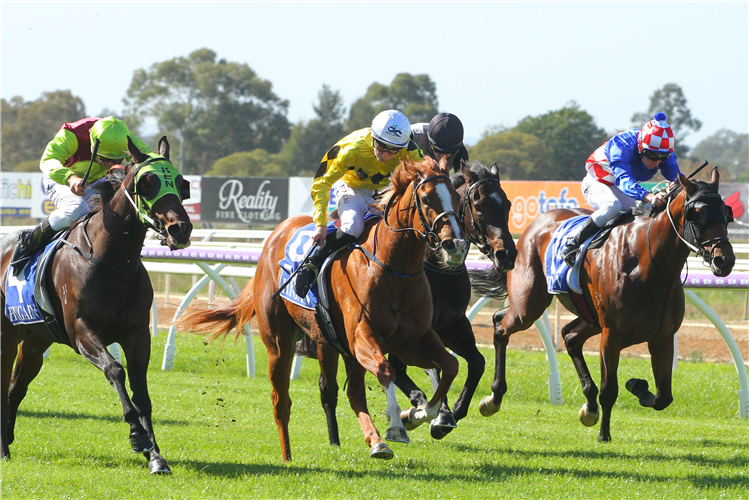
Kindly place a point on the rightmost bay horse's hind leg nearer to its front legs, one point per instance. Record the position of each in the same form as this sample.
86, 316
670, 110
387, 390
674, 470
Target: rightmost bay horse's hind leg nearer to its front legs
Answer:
575, 334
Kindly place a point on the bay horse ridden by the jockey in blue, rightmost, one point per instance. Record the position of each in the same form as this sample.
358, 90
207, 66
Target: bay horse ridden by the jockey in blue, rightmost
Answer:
631, 289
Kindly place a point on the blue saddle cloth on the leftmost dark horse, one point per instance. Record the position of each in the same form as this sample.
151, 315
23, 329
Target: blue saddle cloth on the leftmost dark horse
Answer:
20, 304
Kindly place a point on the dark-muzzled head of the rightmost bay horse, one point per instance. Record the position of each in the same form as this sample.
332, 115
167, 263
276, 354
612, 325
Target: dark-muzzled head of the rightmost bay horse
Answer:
705, 223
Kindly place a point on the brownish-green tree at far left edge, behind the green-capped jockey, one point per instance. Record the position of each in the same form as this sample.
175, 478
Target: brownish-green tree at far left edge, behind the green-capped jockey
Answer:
27, 127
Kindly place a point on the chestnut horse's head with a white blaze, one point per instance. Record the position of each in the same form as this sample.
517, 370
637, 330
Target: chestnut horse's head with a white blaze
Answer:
424, 188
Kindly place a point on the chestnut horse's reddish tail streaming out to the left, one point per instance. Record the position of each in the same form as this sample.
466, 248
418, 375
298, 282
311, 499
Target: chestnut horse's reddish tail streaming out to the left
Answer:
220, 321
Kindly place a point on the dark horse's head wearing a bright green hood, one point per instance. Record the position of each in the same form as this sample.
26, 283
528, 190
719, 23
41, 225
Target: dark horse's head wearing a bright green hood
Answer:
158, 190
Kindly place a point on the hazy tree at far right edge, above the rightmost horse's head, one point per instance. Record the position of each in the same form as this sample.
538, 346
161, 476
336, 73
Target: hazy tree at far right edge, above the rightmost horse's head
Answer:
727, 149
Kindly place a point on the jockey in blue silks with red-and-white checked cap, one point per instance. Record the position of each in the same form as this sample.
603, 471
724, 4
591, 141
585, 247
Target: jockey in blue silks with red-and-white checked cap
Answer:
614, 171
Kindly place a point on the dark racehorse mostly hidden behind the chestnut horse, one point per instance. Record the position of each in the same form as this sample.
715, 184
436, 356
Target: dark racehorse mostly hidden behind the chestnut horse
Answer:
484, 212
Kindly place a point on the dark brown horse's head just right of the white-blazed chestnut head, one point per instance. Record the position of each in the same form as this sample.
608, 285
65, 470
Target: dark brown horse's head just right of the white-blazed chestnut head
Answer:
484, 211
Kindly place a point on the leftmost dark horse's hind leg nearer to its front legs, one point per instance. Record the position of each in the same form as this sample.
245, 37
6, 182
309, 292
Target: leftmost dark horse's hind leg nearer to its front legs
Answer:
28, 364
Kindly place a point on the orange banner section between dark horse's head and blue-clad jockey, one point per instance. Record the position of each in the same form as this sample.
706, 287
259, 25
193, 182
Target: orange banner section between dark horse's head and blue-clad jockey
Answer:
532, 198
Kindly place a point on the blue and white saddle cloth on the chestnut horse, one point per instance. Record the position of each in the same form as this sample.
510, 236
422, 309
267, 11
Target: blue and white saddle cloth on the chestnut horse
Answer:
296, 249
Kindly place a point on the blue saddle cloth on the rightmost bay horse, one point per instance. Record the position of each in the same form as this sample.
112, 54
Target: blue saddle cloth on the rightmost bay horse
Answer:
559, 277
